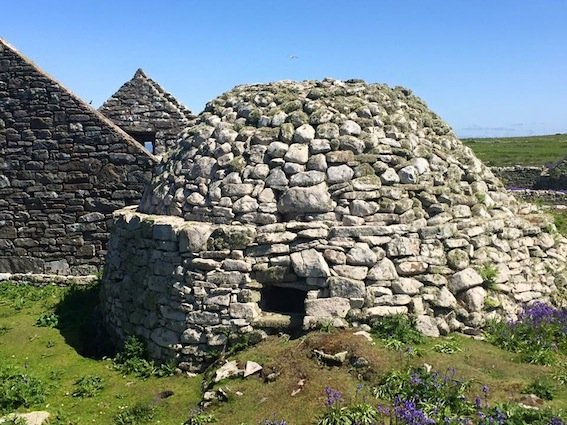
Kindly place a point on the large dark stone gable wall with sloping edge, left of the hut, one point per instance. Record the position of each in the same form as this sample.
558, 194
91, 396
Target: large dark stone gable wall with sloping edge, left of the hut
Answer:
64, 168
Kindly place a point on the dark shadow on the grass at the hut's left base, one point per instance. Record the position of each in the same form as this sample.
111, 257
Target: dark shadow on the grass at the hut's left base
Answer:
80, 322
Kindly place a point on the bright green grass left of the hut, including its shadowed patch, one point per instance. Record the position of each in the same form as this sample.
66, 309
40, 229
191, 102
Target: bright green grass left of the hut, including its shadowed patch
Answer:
53, 356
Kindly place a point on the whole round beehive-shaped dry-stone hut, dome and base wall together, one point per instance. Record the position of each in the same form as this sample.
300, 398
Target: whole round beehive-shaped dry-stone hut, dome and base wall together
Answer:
316, 202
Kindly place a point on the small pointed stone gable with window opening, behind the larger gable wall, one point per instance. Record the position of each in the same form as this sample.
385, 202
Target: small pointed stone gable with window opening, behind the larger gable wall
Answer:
149, 114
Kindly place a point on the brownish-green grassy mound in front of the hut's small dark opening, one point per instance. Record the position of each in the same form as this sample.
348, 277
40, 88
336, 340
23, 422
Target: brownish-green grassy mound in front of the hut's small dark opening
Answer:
252, 400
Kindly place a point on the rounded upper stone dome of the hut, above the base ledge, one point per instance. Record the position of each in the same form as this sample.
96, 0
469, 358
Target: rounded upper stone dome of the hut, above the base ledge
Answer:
326, 150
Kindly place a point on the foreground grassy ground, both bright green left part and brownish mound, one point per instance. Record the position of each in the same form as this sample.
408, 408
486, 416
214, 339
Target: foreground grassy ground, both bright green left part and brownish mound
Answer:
60, 356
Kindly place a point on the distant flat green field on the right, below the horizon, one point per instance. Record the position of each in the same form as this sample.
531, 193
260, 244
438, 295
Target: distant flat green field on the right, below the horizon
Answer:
534, 150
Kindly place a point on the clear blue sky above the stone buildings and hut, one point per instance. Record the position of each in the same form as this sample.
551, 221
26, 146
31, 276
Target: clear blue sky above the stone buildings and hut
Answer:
489, 68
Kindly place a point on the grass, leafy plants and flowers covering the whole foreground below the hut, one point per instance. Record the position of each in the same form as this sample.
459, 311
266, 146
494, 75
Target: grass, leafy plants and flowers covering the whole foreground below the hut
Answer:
51, 356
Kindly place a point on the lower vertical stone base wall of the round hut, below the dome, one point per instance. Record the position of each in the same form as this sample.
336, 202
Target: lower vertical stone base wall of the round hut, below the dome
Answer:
185, 287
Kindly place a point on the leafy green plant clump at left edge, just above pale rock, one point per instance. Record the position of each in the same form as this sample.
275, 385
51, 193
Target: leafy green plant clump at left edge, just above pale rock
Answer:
19, 389
